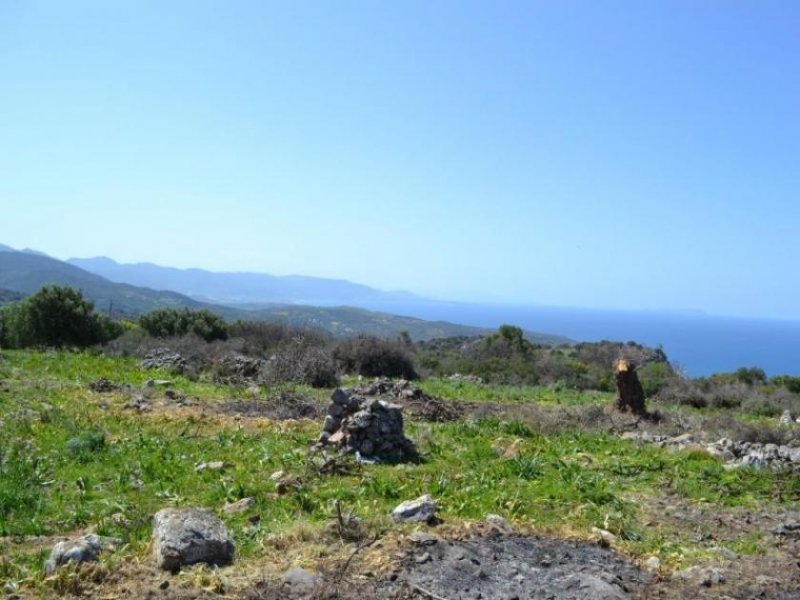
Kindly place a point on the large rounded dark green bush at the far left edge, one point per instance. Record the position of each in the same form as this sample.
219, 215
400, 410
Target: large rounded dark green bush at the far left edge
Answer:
56, 316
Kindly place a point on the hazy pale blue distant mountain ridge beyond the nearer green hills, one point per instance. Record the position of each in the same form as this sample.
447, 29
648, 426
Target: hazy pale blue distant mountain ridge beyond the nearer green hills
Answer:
241, 288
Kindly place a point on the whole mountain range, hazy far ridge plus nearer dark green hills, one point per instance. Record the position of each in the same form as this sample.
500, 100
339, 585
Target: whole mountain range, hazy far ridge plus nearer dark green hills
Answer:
338, 306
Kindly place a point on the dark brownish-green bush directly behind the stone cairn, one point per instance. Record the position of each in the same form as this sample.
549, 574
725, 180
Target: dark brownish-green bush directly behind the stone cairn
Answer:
373, 357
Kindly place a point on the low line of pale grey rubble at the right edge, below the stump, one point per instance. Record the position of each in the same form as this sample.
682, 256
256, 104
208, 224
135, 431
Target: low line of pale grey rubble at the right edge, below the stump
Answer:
734, 454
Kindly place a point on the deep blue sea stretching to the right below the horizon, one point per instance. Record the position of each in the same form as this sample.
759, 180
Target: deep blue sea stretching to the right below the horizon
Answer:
698, 344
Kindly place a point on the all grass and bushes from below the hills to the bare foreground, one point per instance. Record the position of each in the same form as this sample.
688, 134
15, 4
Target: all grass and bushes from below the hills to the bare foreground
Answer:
534, 438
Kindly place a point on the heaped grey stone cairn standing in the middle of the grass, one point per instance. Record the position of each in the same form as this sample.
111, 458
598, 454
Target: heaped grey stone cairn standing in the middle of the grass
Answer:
370, 428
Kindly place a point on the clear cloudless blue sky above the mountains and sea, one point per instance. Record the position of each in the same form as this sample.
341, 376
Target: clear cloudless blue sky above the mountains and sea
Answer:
641, 155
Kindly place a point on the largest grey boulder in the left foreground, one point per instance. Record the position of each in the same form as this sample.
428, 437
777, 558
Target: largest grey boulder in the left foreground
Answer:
190, 535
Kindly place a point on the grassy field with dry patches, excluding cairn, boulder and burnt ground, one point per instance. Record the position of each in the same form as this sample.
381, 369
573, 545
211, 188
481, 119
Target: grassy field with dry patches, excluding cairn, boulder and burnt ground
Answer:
552, 463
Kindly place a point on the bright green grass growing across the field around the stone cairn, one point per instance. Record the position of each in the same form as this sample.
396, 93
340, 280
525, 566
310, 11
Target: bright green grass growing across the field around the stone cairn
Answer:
71, 459
